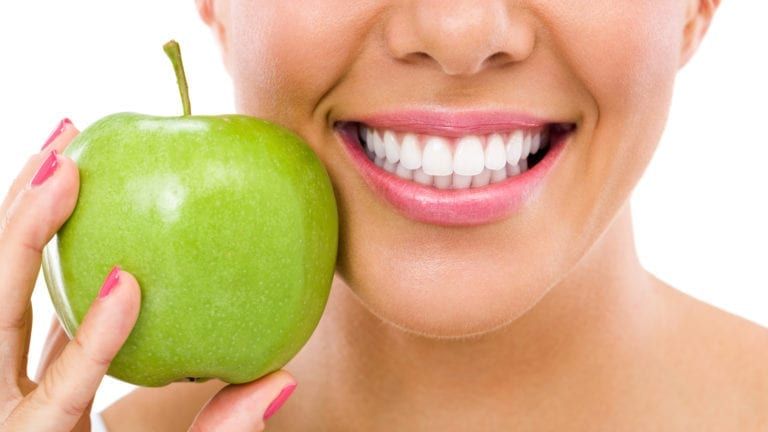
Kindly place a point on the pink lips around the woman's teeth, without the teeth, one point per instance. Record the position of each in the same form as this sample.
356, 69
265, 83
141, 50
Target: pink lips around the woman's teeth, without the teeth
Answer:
451, 207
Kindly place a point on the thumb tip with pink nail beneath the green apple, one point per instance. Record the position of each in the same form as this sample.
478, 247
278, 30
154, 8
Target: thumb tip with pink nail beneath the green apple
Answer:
245, 406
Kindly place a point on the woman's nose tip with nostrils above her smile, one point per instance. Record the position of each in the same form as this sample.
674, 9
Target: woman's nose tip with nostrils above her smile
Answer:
460, 37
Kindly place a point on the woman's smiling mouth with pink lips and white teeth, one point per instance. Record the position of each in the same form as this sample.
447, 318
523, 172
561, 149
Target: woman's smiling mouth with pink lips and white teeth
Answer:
457, 168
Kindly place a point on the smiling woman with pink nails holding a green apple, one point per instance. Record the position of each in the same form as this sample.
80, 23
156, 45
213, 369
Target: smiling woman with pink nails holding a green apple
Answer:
470, 294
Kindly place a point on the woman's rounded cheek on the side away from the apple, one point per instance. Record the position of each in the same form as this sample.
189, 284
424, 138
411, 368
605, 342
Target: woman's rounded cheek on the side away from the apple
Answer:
624, 52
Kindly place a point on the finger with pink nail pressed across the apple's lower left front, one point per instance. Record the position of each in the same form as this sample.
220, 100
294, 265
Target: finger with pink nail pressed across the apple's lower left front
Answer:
69, 384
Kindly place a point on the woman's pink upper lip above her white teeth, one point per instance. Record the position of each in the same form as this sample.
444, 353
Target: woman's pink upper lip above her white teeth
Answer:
453, 123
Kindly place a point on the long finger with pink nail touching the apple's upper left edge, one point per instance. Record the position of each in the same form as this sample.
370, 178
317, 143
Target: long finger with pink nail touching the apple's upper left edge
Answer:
38, 211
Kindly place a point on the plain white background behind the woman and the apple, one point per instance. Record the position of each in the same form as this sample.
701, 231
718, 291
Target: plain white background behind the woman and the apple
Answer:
700, 213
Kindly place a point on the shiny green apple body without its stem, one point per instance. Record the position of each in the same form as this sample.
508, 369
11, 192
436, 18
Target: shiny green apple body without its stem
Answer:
230, 225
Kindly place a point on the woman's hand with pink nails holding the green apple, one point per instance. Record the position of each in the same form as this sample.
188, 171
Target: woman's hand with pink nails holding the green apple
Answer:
38, 203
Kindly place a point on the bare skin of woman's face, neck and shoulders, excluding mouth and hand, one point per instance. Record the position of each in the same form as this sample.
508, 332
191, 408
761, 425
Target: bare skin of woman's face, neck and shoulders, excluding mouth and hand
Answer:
543, 321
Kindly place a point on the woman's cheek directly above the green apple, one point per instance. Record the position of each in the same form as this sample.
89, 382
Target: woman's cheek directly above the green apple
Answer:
285, 56
